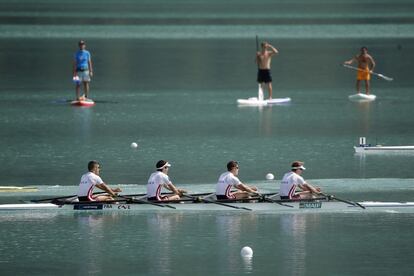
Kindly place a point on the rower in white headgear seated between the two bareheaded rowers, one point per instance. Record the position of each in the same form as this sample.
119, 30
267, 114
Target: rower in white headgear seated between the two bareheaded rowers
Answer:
160, 179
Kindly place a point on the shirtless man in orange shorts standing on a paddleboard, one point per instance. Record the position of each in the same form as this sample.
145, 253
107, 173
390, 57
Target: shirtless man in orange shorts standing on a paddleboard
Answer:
366, 65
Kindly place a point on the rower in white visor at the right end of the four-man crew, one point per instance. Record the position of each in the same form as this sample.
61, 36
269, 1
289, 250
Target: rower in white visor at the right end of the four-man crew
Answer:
292, 180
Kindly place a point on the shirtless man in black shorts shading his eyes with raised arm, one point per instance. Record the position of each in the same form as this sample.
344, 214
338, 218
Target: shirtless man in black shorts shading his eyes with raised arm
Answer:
263, 60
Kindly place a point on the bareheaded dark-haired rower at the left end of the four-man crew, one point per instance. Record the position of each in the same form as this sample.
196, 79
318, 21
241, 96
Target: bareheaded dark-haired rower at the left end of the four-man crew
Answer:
91, 179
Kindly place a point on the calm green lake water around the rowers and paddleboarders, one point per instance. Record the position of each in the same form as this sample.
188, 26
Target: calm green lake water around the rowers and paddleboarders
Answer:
167, 76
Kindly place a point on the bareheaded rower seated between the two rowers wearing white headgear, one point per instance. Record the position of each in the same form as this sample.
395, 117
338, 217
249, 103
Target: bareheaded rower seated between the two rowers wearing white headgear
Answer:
228, 180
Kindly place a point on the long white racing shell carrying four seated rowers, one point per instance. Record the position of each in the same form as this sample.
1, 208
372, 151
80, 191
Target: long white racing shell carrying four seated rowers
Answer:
321, 204
